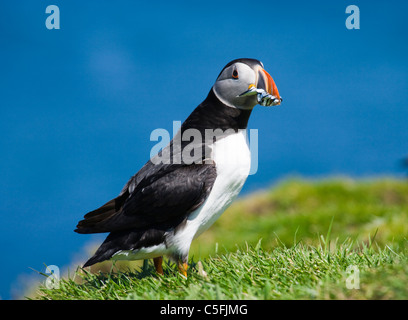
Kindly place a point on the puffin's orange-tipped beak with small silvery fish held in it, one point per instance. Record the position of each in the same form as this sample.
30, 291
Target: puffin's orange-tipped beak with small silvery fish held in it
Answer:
264, 83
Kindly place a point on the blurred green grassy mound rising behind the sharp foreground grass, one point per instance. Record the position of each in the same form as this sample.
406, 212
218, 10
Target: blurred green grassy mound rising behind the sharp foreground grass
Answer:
302, 209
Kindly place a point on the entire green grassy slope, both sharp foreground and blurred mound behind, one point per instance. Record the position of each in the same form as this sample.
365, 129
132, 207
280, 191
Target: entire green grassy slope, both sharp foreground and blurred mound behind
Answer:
294, 261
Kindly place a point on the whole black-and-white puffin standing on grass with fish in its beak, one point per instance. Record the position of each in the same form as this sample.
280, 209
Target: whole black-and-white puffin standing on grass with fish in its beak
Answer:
183, 189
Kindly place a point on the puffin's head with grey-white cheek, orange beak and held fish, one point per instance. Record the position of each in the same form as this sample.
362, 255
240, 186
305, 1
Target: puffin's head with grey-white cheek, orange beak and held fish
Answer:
244, 83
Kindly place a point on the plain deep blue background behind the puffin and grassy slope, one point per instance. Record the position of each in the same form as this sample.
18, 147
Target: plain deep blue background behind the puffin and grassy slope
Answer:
77, 105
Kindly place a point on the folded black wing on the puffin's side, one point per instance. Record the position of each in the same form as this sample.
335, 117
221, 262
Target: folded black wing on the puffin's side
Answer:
158, 196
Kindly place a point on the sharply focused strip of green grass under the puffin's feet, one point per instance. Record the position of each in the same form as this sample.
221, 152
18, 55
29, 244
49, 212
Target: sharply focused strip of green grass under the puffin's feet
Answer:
299, 272
